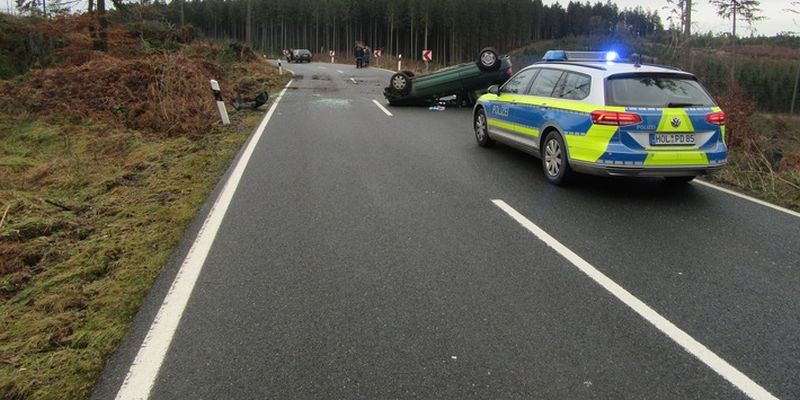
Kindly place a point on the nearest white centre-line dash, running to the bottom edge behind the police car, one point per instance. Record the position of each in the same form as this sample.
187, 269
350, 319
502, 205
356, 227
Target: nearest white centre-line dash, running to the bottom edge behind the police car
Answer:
697, 349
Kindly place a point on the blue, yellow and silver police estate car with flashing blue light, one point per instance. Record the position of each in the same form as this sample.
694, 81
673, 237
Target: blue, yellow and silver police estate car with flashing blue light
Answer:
589, 112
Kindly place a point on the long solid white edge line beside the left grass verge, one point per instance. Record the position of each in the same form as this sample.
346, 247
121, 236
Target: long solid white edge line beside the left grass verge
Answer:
145, 367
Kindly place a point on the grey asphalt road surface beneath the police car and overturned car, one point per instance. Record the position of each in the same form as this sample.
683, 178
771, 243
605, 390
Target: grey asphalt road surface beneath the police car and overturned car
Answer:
361, 257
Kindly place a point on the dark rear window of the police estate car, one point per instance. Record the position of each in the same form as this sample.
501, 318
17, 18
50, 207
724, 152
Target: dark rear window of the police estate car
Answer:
655, 90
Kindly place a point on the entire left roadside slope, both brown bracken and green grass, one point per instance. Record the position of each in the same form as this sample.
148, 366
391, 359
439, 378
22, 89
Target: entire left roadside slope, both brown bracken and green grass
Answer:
97, 188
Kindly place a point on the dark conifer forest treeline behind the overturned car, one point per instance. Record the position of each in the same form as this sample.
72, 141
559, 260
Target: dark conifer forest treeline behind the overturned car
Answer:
454, 29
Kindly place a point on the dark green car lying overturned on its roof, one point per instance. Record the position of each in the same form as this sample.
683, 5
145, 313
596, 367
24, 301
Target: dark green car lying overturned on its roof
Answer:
467, 81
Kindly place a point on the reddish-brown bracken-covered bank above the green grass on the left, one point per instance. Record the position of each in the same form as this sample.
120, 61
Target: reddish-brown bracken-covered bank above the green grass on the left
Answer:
161, 90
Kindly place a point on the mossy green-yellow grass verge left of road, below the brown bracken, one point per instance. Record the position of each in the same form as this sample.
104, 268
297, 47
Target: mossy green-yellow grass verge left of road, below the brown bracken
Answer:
93, 213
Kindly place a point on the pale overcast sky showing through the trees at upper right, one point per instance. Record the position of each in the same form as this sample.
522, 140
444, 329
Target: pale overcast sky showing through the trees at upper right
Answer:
704, 18
